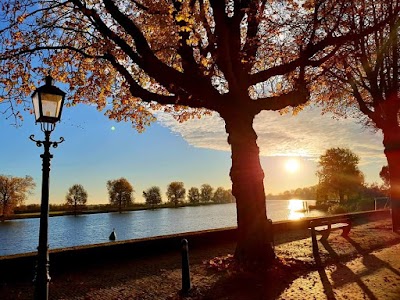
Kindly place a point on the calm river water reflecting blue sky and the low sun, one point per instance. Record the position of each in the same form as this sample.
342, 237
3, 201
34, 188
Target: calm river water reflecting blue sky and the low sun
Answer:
21, 236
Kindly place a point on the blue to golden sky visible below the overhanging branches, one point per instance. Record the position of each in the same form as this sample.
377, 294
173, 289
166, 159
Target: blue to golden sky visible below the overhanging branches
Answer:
97, 149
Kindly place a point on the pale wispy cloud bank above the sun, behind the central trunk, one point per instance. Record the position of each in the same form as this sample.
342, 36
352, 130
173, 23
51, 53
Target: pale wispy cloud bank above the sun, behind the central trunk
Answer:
308, 134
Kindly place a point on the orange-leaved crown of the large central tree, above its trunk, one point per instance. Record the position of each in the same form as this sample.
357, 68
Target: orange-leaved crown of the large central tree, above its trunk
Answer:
170, 49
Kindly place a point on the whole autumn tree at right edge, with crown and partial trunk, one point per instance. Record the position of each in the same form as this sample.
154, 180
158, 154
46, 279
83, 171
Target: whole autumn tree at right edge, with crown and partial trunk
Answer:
366, 83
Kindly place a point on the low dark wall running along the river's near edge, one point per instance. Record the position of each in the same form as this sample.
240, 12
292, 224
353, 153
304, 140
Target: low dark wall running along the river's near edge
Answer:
21, 266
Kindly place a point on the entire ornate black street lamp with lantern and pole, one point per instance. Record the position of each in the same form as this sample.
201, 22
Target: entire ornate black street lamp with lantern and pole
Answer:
47, 101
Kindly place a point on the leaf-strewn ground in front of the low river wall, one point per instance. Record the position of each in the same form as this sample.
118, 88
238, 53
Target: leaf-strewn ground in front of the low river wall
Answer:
365, 265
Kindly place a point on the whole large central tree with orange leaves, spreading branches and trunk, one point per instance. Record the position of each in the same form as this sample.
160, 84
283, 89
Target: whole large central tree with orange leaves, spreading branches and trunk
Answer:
187, 58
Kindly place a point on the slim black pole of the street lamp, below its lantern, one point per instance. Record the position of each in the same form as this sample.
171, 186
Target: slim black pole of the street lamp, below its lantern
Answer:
42, 277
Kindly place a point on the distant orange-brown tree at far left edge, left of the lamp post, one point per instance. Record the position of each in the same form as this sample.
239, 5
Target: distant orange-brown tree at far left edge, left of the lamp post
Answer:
13, 192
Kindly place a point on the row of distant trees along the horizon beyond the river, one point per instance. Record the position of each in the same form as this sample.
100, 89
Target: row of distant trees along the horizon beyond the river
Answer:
340, 182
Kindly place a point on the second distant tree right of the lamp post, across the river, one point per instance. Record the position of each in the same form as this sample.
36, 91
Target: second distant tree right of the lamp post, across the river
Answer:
120, 193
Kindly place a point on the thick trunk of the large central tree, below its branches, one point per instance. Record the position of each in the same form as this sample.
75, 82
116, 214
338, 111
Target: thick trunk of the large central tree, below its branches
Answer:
254, 243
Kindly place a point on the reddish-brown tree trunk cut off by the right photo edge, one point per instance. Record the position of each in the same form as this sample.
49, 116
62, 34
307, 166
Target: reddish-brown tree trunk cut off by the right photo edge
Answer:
391, 141
